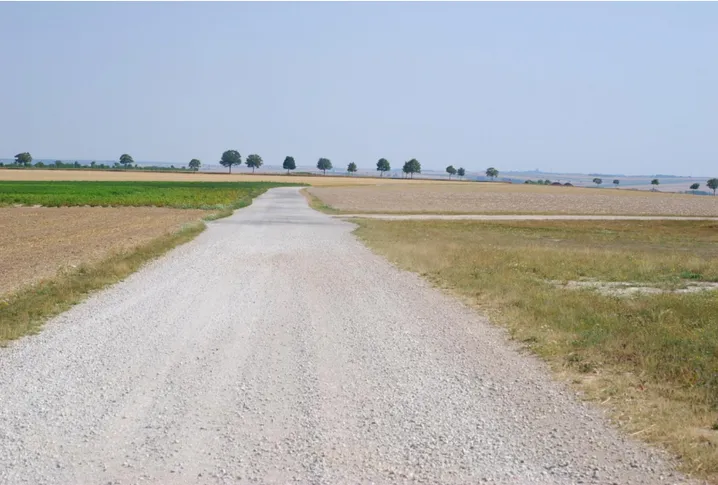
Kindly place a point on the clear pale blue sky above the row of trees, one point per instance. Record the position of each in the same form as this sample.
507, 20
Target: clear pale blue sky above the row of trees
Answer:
584, 87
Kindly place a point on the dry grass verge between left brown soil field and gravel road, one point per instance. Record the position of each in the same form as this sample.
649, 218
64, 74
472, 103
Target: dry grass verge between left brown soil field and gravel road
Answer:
25, 311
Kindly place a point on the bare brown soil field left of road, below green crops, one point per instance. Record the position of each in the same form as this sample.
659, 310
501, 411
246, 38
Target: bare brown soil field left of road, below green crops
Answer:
39, 242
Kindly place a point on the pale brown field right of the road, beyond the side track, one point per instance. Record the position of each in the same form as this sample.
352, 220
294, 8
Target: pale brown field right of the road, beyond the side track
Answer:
490, 198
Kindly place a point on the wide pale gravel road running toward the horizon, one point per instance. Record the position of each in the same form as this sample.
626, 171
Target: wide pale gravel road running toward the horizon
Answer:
275, 348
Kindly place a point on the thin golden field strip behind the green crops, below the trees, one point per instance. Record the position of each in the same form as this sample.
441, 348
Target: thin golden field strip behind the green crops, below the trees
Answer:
99, 175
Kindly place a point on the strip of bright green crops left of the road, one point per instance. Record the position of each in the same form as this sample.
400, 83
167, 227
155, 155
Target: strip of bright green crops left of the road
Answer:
183, 195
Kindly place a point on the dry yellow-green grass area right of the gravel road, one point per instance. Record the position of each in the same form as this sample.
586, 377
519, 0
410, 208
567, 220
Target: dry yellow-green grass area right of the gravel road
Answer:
650, 358
